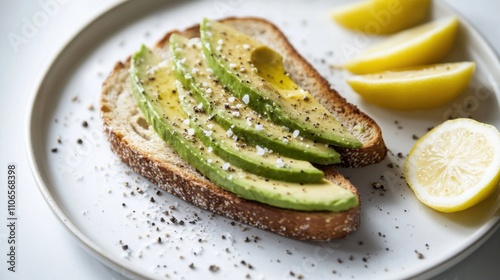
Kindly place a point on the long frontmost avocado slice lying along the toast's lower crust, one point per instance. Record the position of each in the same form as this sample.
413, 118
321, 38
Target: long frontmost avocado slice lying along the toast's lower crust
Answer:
154, 88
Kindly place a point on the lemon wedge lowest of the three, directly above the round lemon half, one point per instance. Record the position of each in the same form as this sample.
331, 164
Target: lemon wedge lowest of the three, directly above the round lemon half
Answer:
420, 87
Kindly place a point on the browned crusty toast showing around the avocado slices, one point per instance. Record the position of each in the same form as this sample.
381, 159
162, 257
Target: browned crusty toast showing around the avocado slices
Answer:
138, 145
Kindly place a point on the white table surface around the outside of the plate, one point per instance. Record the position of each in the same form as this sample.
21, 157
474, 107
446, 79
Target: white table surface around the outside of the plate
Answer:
45, 249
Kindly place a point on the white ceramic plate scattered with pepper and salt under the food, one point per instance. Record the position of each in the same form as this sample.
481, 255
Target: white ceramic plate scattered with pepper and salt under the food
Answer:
111, 211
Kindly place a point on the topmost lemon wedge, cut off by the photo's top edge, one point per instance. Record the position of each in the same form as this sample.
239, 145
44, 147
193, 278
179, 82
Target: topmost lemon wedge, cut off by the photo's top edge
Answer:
381, 16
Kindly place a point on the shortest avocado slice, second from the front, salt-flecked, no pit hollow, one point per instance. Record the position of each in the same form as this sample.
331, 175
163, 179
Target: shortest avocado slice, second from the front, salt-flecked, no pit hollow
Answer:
229, 147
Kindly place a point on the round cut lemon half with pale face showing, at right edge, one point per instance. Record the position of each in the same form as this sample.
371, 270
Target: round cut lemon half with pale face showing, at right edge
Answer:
455, 166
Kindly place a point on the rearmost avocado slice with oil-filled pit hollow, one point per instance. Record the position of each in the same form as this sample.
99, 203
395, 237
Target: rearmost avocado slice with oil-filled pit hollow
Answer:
255, 74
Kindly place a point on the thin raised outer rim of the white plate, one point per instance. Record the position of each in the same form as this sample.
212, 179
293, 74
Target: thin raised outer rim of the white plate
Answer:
120, 265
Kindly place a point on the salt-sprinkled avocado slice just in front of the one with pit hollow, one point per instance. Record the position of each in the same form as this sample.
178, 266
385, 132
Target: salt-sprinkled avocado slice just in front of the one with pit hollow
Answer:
230, 112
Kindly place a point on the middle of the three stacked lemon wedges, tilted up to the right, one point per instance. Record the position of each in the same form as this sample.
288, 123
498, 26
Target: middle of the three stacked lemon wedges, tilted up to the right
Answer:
424, 44
